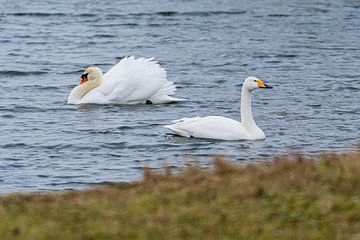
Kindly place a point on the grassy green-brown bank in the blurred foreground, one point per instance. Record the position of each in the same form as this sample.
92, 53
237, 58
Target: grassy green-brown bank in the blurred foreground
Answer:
288, 199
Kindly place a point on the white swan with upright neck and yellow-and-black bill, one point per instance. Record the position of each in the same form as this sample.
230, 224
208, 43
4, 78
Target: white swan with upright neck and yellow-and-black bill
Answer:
217, 127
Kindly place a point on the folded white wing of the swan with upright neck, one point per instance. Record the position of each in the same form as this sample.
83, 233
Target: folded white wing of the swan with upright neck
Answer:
212, 127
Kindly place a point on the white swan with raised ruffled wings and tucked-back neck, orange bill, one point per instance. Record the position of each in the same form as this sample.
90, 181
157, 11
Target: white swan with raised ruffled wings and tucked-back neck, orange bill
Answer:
131, 81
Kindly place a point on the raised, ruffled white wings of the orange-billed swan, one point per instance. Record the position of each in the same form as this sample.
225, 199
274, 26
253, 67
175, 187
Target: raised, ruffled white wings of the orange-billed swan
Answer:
134, 81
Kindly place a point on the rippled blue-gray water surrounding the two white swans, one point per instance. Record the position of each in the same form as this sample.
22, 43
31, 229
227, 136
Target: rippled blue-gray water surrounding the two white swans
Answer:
308, 50
